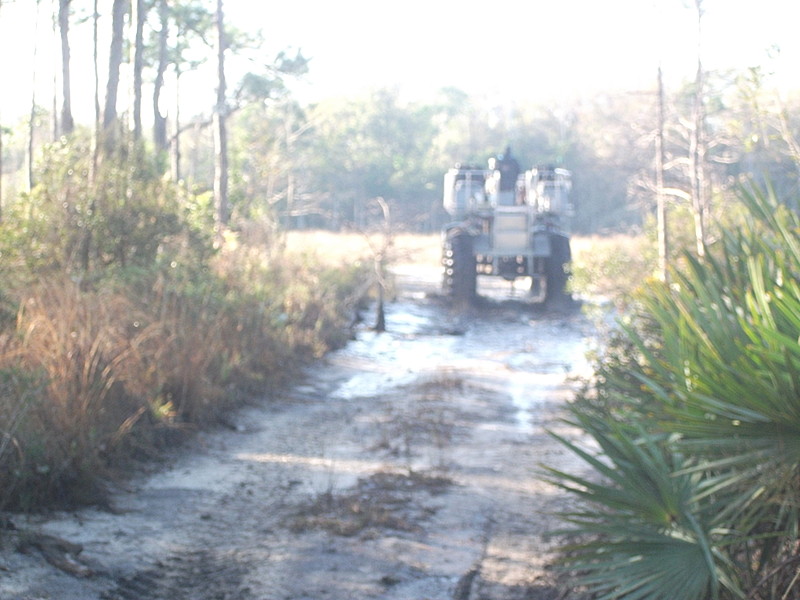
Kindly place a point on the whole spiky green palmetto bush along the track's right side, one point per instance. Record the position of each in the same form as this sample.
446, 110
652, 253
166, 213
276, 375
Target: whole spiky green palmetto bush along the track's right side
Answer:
694, 490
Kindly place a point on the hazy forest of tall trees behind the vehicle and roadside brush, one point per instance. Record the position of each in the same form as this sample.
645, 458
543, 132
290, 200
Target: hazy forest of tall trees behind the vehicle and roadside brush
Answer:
320, 163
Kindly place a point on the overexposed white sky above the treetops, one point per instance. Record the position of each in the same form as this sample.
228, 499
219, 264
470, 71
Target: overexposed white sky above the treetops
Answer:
535, 50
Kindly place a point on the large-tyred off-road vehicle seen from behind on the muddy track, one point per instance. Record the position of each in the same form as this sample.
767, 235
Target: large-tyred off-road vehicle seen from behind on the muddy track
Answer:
506, 223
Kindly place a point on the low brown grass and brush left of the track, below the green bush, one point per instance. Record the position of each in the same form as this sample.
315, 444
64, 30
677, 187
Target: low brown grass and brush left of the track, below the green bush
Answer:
92, 377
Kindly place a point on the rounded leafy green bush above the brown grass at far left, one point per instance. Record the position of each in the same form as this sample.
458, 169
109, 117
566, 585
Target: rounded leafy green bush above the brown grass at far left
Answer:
92, 221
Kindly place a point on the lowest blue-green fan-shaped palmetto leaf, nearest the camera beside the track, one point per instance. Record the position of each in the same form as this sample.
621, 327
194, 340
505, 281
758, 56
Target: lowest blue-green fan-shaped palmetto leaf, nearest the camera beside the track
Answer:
640, 520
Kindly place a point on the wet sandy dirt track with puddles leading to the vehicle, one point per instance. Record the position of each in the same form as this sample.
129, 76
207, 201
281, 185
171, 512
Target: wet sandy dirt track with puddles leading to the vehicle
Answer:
402, 467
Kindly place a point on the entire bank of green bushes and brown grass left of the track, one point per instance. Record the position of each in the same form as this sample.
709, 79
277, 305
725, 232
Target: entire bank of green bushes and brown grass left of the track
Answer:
125, 323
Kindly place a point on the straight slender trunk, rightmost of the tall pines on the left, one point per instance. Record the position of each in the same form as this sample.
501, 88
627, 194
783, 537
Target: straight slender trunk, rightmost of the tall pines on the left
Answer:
220, 127
